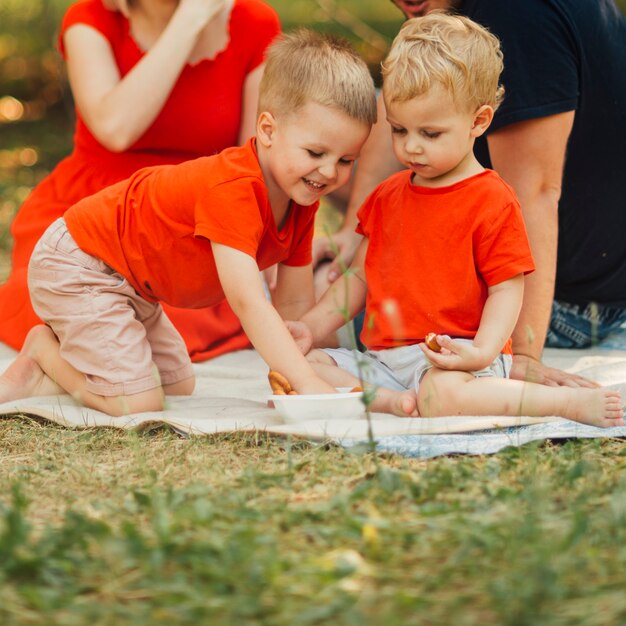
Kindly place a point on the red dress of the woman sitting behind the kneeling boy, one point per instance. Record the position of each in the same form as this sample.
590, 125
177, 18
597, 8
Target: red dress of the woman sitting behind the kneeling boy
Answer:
201, 117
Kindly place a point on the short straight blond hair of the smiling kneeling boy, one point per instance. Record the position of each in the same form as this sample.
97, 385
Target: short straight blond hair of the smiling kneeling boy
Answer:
305, 66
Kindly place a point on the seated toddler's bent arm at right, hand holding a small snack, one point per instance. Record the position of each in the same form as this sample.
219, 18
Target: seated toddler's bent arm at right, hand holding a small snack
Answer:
497, 322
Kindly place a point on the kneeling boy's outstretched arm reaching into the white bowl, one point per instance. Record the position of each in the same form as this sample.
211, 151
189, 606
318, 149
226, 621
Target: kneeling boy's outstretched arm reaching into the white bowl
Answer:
242, 284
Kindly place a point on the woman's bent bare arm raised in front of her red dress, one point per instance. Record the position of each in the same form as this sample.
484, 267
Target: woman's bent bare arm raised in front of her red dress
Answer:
119, 110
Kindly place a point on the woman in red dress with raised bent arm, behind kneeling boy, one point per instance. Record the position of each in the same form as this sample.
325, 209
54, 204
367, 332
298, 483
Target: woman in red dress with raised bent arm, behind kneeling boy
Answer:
154, 82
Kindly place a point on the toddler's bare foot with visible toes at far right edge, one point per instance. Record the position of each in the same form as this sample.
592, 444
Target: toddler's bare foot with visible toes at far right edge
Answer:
596, 407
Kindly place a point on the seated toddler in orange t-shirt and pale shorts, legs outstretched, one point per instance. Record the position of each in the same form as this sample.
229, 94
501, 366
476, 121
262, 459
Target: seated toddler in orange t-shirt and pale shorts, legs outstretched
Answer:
444, 248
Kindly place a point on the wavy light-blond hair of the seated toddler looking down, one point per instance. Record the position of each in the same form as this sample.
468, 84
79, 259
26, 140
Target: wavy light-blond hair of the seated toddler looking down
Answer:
447, 50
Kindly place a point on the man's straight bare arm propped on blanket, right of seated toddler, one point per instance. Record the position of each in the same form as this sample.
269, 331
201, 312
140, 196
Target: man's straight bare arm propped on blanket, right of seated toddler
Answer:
530, 156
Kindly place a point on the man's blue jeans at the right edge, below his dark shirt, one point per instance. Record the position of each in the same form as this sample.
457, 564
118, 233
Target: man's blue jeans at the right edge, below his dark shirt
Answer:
576, 326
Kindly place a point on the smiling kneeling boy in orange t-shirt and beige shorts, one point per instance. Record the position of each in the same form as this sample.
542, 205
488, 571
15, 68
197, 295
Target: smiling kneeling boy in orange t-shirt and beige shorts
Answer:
192, 234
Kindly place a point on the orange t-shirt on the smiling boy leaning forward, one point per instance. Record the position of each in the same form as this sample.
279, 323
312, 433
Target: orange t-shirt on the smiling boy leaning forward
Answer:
155, 227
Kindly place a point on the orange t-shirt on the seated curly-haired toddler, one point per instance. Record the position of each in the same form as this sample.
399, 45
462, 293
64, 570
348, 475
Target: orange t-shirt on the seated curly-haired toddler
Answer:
433, 253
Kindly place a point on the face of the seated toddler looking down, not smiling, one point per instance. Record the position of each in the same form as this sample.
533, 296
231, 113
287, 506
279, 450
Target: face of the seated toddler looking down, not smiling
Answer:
432, 137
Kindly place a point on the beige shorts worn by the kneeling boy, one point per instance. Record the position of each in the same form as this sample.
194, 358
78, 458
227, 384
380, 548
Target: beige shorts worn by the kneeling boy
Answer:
123, 344
